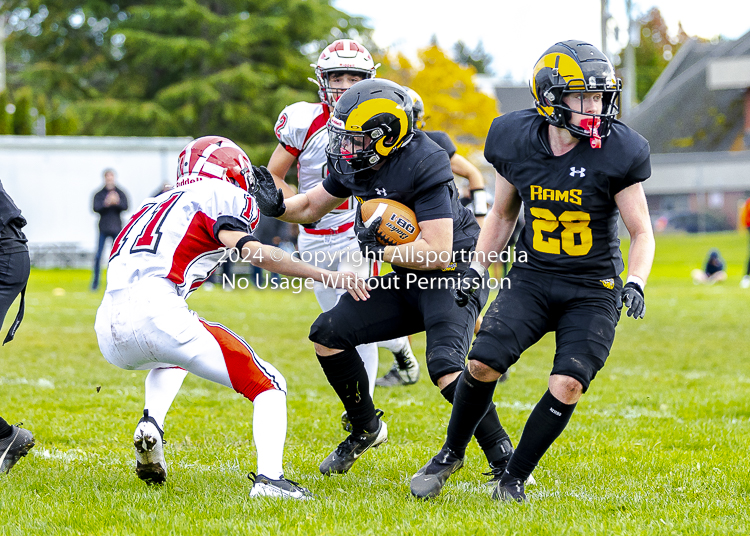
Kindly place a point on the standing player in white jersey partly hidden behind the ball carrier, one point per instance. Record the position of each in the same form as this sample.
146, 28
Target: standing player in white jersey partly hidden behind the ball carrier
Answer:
331, 242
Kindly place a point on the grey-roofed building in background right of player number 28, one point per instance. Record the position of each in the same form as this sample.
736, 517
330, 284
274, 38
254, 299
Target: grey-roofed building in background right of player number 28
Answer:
697, 119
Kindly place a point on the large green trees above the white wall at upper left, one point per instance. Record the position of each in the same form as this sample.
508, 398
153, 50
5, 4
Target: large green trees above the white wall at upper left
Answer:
171, 67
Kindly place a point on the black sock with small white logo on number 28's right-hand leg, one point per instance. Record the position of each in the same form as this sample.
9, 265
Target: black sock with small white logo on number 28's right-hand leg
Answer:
547, 421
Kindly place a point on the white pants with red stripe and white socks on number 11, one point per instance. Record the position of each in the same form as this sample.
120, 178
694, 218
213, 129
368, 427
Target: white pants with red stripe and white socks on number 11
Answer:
148, 326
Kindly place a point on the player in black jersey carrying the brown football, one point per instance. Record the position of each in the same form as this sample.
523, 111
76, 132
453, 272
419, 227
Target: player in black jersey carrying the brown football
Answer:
375, 153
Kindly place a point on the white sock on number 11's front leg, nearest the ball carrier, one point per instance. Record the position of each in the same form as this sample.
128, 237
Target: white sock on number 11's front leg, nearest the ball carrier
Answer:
269, 432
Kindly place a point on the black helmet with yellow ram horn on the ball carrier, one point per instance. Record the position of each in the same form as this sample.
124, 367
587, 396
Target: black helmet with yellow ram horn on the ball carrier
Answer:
370, 122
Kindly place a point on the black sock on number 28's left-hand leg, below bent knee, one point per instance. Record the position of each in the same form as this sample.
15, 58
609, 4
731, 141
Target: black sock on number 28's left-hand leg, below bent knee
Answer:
471, 402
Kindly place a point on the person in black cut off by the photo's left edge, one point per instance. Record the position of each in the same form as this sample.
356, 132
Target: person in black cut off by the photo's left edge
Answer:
15, 442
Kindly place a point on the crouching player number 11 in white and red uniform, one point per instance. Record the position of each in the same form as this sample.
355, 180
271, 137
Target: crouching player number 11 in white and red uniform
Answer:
166, 251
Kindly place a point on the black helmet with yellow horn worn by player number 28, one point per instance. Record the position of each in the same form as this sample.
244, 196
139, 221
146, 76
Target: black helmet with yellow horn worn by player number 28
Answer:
575, 67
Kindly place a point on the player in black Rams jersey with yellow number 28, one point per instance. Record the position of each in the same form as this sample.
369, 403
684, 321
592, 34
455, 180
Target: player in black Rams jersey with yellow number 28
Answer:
575, 168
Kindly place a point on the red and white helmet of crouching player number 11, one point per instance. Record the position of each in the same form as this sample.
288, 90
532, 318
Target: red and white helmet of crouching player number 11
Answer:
214, 157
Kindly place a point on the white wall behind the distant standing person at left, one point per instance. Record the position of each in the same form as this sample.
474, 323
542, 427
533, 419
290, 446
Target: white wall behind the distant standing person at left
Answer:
53, 179
